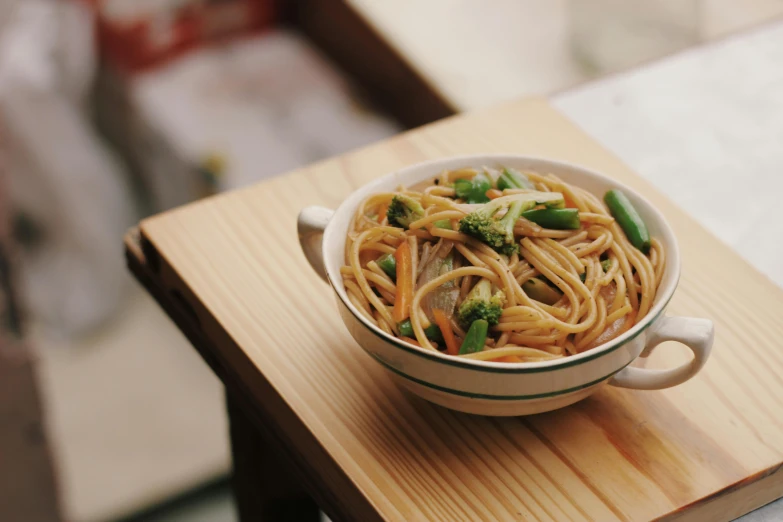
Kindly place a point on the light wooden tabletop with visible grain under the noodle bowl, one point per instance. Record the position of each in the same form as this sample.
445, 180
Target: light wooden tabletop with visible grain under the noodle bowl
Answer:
712, 446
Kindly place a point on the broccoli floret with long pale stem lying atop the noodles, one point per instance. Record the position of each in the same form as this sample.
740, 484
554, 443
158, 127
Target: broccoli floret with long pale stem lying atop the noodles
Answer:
499, 233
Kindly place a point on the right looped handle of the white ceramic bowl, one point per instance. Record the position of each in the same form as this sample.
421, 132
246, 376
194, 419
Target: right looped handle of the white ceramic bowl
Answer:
696, 334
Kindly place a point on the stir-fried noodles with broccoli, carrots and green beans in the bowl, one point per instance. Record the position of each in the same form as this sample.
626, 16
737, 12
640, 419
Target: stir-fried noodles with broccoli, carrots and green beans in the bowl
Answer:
503, 265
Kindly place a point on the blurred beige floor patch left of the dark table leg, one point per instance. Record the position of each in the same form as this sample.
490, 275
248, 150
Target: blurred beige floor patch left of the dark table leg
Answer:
134, 415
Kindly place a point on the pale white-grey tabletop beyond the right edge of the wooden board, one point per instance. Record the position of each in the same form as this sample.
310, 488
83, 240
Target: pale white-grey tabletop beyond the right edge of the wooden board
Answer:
697, 122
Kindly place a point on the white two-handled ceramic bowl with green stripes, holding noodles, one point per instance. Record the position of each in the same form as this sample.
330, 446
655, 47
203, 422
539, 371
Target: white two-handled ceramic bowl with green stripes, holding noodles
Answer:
490, 388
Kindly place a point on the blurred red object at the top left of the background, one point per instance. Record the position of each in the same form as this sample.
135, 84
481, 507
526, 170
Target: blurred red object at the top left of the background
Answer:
135, 36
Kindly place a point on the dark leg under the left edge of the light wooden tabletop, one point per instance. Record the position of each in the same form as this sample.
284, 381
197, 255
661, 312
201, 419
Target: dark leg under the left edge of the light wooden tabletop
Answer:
263, 488
